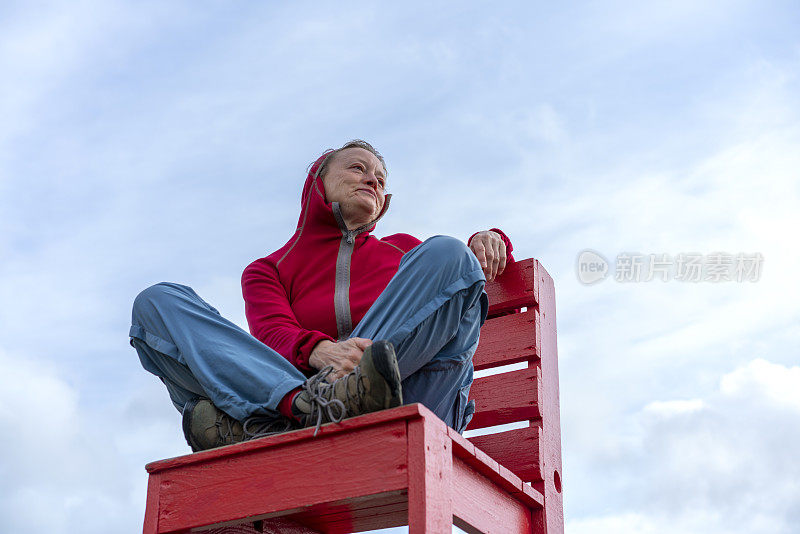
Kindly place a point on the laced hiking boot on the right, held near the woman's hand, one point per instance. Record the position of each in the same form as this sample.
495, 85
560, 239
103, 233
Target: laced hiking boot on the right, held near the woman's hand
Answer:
373, 385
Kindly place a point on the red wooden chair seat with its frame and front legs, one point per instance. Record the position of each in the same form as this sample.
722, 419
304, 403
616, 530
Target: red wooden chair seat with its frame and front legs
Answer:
378, 470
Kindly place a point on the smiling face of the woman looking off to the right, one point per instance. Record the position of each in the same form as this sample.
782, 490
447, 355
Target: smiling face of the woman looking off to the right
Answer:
355, 178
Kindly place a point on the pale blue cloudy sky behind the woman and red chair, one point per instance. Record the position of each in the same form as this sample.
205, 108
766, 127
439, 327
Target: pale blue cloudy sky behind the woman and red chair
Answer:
168, 141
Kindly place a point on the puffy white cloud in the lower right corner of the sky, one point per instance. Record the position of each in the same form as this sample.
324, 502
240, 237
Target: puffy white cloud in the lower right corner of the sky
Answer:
725, 463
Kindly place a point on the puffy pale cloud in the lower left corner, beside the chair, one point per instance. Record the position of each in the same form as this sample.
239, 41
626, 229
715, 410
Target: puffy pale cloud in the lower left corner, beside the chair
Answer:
67, 467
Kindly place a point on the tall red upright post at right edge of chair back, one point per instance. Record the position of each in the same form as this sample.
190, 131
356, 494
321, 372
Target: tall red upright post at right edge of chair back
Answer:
551, 419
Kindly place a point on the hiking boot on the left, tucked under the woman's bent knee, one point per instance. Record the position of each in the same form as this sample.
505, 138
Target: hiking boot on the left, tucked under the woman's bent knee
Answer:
207, 427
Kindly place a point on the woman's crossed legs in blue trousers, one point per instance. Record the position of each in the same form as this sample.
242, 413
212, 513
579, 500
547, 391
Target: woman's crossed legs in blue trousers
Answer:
431, 311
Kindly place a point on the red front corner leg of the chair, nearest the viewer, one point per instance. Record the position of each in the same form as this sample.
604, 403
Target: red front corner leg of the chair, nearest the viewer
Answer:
430, 464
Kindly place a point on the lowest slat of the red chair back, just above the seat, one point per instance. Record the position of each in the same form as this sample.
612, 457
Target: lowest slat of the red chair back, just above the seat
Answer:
517, 450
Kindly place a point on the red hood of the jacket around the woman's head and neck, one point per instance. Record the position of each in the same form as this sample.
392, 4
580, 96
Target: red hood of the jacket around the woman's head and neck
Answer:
315, 210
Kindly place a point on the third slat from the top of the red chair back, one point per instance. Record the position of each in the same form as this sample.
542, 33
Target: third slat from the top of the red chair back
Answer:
506, 397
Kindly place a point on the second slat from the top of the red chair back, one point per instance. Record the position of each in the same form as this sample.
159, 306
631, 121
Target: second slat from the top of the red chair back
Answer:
507, 339
